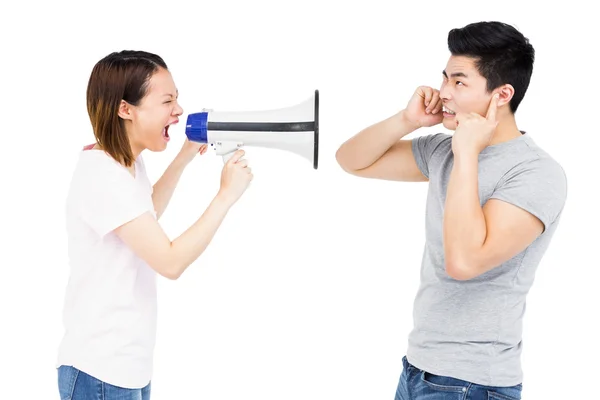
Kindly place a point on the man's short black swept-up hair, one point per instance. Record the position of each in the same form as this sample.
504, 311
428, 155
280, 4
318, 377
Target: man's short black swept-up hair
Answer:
503, 55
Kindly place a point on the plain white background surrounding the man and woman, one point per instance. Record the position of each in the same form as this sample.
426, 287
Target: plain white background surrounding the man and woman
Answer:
306, 291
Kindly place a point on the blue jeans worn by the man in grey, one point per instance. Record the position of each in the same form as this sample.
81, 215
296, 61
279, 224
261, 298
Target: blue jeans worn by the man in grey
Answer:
416, 384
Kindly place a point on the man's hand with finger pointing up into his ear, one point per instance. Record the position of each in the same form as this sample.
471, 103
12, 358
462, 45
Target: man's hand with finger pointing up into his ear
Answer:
474, 132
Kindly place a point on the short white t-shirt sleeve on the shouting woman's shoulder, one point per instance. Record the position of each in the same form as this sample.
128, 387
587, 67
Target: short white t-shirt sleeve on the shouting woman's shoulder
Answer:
111, 198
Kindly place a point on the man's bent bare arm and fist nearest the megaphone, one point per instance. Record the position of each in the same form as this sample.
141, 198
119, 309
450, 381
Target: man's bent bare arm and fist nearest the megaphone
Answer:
379, 152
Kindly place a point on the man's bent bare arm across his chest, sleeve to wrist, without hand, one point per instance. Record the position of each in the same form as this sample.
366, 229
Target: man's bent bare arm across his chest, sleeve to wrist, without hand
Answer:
477, 239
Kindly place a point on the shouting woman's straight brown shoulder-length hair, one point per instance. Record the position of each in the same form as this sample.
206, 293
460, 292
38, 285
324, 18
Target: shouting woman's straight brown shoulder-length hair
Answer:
119, 76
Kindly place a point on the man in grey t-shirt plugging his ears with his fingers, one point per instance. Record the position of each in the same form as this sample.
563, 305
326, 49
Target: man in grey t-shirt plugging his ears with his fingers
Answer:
494, 202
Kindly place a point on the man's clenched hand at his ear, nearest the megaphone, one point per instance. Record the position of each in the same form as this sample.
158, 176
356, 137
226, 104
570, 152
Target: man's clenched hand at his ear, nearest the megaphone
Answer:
424, 108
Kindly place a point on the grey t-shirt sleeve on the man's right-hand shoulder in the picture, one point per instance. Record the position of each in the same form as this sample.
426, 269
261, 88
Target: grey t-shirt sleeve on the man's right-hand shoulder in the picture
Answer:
538, 186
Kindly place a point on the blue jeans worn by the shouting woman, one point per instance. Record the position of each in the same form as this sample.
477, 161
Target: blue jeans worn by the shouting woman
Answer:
74, 384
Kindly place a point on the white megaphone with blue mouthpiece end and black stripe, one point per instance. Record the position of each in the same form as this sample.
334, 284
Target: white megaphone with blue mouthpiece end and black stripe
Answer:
294, 129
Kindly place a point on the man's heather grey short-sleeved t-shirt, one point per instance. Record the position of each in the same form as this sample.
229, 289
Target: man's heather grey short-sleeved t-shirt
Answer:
471, 330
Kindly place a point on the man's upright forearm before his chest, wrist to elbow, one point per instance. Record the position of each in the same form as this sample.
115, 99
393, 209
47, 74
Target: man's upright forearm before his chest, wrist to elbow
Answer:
465, 228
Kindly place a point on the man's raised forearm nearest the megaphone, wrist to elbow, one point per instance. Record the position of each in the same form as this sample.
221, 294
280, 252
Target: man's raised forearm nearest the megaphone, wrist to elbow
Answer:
371, 143
